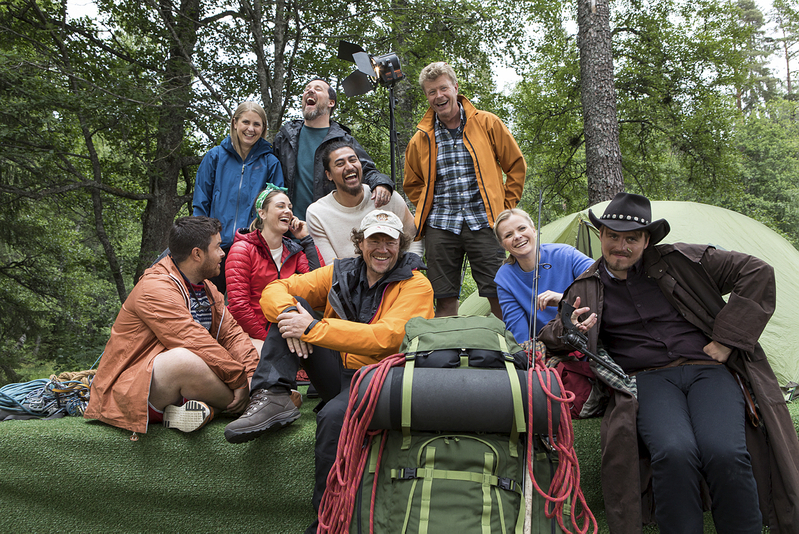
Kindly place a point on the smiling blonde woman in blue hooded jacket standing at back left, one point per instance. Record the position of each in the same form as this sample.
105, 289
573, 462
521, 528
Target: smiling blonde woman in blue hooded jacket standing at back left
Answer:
232, 174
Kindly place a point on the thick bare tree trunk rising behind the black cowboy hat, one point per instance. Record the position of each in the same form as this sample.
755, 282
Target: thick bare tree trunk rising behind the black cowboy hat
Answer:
598, 95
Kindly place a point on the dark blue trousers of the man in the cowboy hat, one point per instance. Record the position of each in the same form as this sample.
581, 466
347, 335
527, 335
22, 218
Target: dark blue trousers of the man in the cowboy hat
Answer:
691, 419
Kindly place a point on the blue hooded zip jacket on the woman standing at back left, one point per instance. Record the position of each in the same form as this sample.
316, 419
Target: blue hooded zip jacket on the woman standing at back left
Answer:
226, 187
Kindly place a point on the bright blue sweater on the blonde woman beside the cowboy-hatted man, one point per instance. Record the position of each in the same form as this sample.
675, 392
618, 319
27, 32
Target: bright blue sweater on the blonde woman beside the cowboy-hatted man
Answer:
515, 287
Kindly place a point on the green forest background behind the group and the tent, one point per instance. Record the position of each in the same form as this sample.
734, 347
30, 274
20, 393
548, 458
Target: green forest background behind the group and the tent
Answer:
105, 118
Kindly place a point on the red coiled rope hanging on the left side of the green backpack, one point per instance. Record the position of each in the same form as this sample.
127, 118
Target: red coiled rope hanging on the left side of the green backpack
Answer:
353, 446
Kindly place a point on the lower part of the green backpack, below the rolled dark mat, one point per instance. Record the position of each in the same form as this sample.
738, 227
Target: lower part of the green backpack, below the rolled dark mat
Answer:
463, 483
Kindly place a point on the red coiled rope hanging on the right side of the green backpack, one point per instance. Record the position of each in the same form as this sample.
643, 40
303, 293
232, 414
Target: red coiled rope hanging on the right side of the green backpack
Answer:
565, 483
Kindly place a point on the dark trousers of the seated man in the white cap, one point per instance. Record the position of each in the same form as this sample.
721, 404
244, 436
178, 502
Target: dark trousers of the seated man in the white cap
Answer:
277, 371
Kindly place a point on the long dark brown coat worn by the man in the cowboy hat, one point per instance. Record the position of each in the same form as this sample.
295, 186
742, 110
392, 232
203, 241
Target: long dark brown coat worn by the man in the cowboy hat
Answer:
694, 278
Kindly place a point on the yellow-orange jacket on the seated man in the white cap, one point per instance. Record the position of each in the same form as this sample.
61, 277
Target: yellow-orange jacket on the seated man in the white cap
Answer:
407, 294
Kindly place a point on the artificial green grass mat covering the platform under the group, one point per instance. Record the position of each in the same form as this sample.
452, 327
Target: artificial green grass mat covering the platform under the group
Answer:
76, 475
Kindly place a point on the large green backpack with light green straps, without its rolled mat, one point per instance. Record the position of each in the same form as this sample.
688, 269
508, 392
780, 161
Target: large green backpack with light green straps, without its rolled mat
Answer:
424, 482
